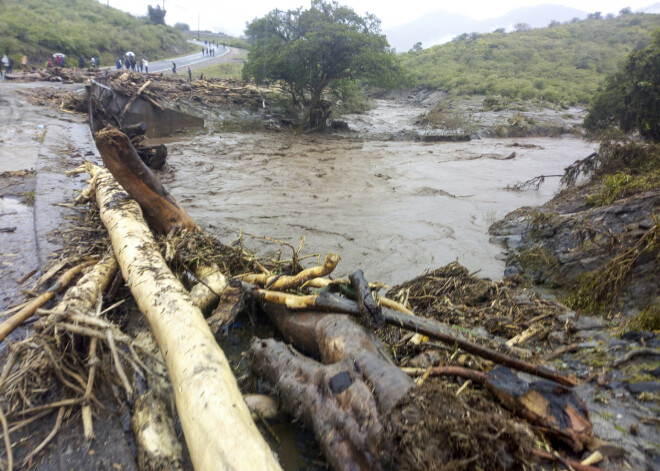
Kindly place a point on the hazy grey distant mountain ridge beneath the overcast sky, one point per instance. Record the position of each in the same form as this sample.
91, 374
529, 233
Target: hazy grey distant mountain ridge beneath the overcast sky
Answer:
441, 26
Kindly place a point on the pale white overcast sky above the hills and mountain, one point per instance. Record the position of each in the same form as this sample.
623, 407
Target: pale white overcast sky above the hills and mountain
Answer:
230, 17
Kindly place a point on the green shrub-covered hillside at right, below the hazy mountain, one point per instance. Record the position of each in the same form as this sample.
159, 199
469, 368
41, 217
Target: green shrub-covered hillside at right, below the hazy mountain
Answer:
565, 63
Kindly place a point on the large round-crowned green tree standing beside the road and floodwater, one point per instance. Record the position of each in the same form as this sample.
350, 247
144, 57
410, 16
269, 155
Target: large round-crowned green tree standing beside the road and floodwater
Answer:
310, 50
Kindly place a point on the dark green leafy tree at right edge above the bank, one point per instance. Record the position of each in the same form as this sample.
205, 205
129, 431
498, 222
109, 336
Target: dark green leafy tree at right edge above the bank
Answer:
631, 97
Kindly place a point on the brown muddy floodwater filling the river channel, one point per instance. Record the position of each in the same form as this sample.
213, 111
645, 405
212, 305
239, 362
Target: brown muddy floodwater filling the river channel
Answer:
392, 208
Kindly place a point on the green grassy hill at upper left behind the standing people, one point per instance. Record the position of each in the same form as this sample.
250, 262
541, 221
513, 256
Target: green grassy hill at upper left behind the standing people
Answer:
40, 28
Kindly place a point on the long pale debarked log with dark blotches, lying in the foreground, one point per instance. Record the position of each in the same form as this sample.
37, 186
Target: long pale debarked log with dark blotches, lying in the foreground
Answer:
218, 429
